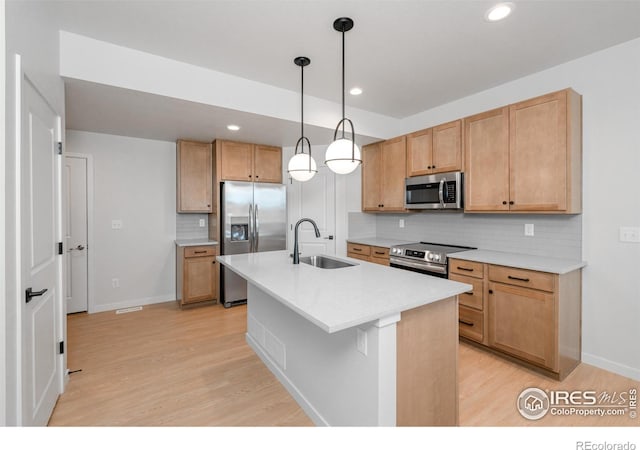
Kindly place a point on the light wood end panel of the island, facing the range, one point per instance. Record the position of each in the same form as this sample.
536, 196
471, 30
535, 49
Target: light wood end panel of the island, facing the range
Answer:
427, 365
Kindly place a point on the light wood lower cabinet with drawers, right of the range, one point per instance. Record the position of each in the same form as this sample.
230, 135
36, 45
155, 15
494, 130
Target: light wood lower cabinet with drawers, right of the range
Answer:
532, 316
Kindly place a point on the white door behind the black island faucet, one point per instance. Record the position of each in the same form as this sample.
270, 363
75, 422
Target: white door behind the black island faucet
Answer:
315, 199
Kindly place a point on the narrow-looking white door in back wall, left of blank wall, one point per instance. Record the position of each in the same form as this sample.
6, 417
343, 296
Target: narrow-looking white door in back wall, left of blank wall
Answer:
76, 234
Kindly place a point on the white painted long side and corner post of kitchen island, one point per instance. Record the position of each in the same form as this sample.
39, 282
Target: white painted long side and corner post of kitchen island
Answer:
331, 380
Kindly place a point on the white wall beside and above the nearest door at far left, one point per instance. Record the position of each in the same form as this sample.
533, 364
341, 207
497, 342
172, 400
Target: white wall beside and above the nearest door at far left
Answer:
31, 31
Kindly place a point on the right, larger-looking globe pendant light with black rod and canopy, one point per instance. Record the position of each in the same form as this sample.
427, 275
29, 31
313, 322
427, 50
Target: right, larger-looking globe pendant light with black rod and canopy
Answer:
343, 155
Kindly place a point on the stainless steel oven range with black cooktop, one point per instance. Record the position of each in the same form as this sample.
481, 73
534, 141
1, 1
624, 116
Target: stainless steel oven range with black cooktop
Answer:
424, 257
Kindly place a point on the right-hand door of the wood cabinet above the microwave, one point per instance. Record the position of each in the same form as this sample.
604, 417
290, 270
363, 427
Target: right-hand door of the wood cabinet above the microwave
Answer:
447, 147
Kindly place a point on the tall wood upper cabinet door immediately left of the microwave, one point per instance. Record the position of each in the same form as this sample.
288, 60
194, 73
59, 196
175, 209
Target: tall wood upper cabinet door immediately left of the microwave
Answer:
394, 169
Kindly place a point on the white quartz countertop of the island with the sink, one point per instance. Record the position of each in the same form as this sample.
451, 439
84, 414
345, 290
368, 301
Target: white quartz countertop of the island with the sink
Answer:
337, 299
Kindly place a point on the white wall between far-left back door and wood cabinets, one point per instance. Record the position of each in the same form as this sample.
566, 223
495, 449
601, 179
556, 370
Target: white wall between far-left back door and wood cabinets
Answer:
135, 182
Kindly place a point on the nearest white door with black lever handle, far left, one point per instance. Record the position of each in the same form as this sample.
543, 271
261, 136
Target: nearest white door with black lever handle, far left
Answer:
39, 212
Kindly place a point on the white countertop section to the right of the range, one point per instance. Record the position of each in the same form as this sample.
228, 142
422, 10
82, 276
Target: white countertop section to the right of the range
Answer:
521, 261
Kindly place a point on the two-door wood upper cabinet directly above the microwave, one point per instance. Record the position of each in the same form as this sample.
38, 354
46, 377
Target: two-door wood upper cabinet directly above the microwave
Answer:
435, 150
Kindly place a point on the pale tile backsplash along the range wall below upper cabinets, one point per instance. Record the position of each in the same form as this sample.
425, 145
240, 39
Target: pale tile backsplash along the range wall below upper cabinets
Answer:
554, 236
